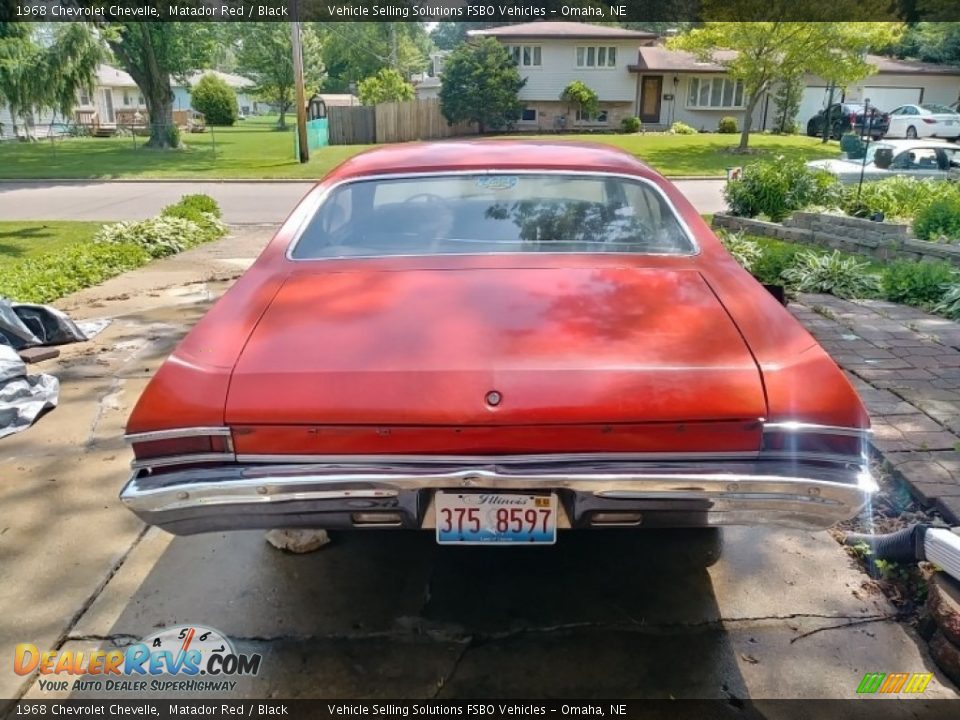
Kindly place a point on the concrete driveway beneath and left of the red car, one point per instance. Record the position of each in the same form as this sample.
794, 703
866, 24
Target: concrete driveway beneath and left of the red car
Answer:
750, 614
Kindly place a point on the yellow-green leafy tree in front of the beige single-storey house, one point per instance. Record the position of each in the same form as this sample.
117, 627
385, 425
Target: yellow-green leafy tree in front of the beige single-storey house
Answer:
768, 51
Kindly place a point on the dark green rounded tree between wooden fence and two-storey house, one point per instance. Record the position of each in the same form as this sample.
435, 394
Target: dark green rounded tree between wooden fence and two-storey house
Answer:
480, 84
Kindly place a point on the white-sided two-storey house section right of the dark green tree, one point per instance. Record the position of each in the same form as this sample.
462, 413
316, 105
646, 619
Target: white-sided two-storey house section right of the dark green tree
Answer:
552, 54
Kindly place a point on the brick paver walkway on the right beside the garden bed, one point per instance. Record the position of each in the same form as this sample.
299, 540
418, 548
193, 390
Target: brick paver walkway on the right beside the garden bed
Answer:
906, 366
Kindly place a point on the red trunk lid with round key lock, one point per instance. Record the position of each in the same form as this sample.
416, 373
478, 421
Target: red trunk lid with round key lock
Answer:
567, 345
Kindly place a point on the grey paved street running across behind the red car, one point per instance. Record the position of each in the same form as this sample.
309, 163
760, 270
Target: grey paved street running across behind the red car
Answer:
241, 202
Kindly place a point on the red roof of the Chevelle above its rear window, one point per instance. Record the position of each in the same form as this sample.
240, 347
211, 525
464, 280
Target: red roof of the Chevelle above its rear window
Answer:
460, 155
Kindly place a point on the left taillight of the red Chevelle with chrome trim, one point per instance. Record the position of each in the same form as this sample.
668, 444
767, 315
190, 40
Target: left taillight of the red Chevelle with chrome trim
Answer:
179, 446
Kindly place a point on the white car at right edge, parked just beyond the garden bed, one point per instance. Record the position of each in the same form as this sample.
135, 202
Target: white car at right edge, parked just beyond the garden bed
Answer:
910, 158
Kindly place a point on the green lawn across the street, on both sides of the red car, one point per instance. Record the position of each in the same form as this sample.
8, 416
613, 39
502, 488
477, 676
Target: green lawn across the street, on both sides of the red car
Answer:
253, 149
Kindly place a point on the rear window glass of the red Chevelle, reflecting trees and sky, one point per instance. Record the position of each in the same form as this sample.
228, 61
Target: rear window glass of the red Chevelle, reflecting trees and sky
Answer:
492, 213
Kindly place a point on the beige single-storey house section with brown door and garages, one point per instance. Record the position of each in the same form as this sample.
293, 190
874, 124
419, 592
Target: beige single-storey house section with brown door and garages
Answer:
673, 85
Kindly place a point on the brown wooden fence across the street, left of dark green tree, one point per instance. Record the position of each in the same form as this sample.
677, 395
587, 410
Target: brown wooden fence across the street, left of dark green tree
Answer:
392, 122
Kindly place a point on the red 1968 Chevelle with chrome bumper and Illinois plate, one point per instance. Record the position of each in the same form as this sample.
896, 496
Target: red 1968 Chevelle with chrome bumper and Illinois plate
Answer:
493, 340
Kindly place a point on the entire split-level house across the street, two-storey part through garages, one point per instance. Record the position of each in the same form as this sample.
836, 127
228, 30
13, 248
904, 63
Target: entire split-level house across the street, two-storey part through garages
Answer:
634, 74
